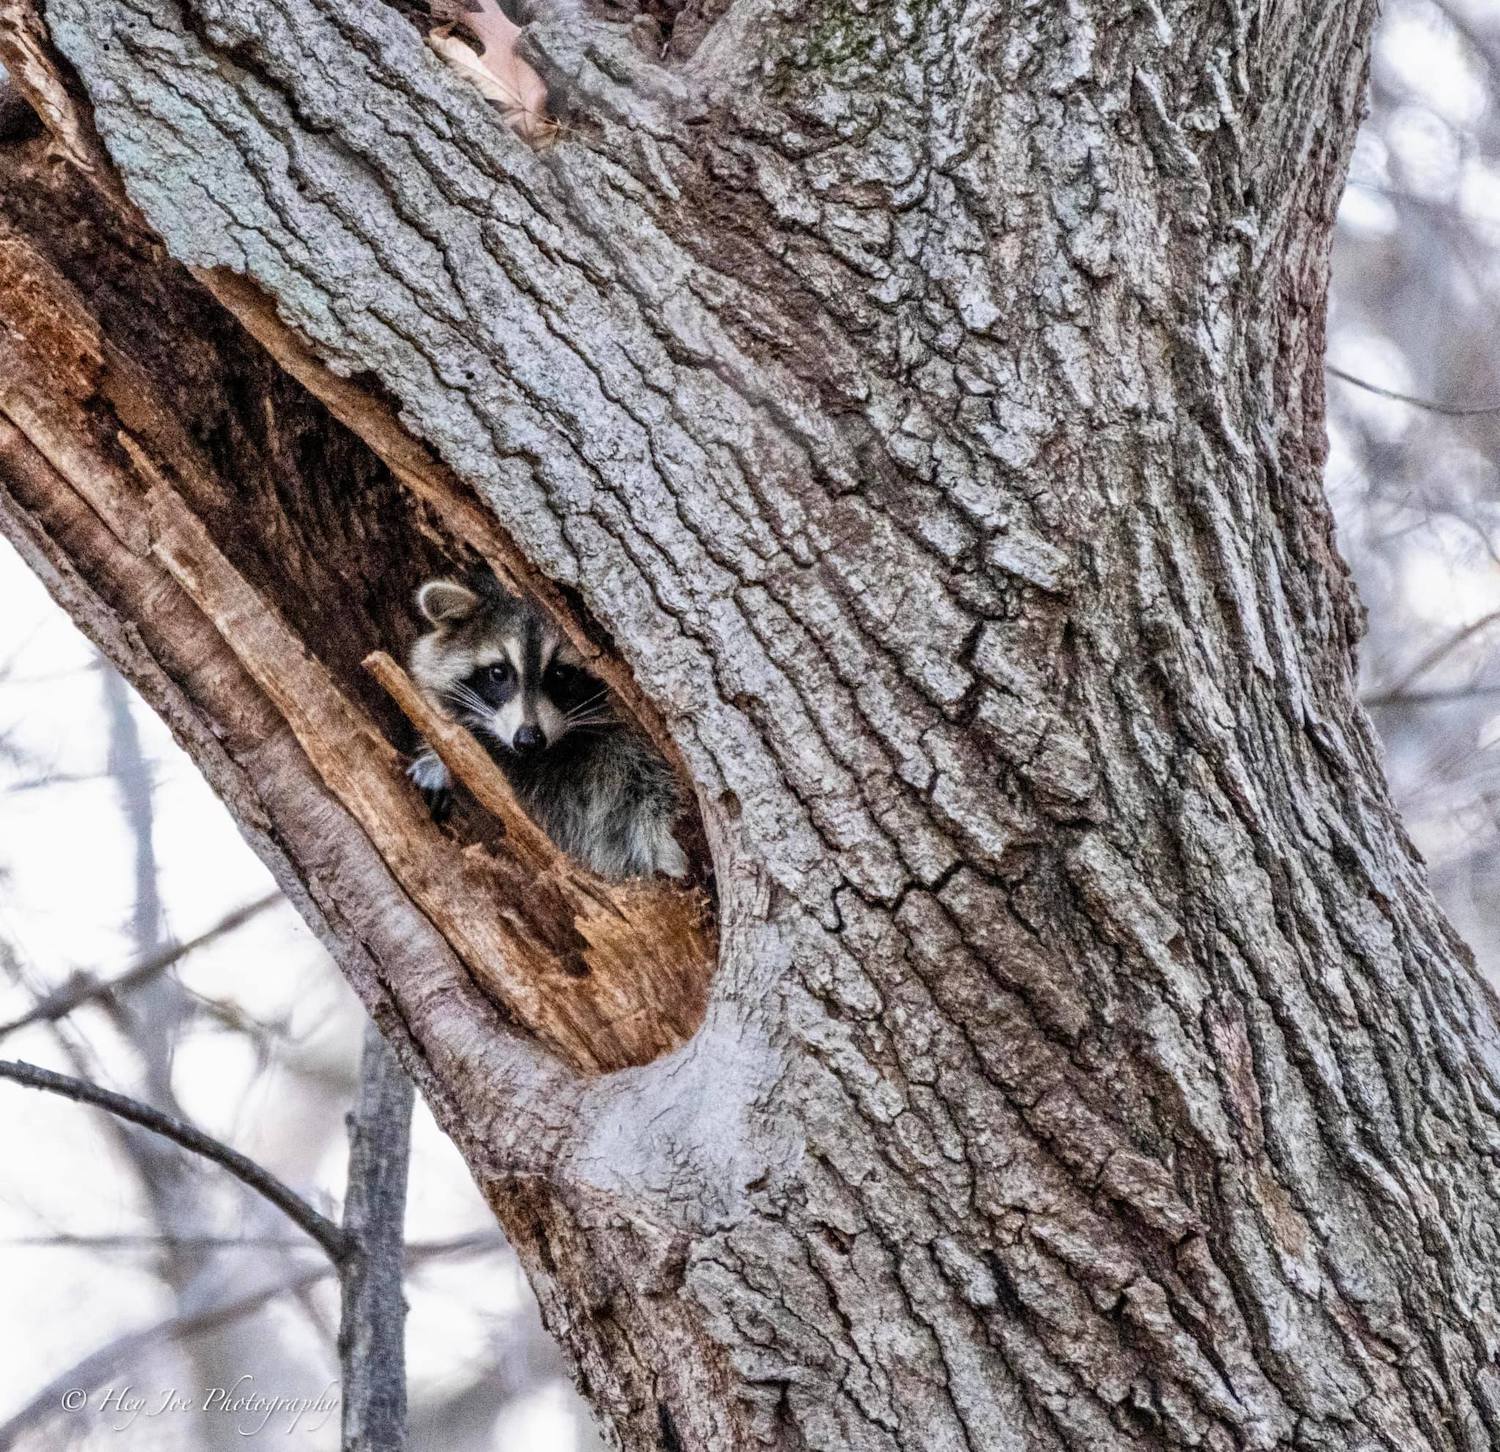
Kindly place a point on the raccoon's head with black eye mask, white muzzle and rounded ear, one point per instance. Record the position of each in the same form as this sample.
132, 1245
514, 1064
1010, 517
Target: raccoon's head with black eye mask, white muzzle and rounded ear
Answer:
505, 670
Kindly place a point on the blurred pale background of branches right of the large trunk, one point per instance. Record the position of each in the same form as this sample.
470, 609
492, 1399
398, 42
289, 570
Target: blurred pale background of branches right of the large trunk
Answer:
1415, 484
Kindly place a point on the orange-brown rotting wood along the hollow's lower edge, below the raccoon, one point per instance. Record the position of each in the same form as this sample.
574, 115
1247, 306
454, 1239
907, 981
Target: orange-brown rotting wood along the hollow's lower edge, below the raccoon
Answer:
608, 976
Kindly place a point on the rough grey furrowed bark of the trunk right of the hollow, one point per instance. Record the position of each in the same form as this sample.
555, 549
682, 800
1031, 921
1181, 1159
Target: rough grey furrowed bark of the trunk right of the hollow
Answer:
934, 418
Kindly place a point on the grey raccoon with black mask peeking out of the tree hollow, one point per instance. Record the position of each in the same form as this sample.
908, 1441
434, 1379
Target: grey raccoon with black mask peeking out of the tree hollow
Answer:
502, 668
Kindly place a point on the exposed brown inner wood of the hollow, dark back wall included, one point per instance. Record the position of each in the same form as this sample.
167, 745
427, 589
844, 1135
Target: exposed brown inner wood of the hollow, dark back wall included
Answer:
116, 392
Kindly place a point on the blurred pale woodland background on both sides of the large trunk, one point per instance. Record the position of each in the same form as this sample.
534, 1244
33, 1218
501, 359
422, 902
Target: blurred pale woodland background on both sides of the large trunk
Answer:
155, 1271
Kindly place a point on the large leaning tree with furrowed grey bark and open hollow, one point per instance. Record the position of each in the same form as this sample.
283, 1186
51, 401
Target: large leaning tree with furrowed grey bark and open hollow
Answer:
923, 410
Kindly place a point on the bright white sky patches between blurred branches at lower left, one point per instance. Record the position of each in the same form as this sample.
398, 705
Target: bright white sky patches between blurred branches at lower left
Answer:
65, 905
